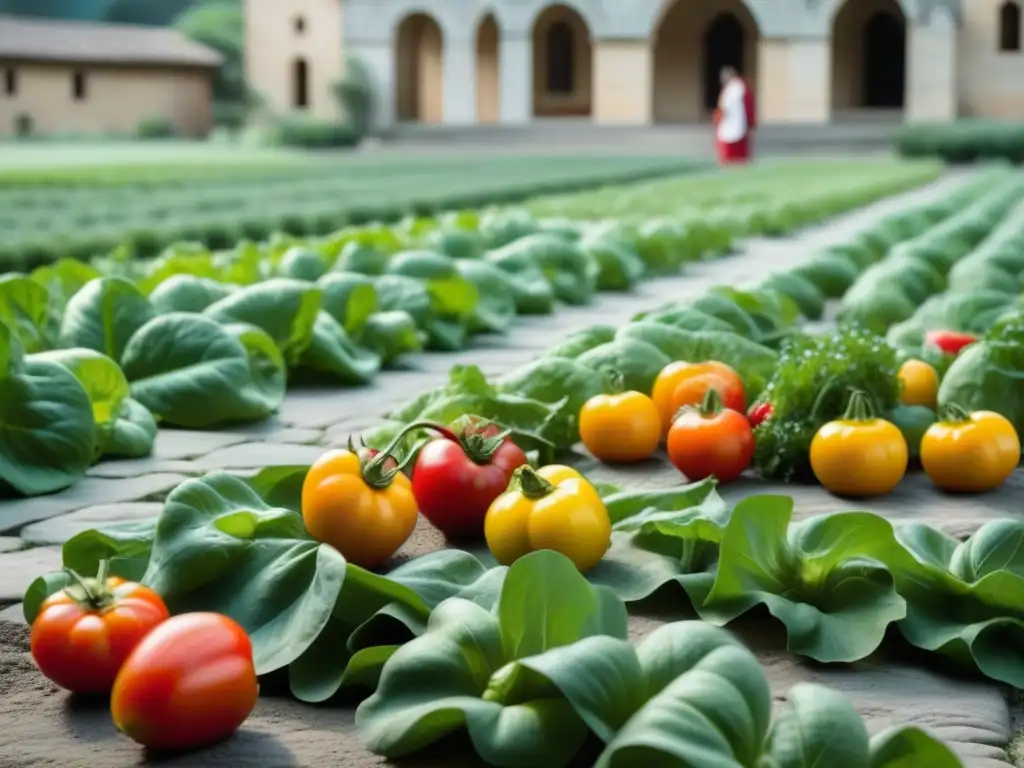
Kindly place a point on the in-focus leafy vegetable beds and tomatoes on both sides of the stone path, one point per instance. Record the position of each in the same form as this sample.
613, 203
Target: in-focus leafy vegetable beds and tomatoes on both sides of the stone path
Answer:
517, 635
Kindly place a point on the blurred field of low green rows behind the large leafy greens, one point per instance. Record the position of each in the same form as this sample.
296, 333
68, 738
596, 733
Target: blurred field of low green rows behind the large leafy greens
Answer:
44, 223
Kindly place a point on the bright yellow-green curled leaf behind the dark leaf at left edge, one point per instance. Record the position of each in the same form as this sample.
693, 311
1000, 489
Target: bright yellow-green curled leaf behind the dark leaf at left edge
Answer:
124, 428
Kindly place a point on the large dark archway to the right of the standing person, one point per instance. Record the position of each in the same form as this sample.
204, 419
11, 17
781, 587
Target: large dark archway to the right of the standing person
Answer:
869, 56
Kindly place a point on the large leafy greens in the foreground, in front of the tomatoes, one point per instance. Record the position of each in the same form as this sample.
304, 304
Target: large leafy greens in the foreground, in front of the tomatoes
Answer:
533, 661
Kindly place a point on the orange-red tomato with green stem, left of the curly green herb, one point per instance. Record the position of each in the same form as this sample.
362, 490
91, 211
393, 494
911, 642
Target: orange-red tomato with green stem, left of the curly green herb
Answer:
711, 441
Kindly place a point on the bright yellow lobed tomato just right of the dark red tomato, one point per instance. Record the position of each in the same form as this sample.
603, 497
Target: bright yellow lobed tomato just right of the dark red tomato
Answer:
554, 508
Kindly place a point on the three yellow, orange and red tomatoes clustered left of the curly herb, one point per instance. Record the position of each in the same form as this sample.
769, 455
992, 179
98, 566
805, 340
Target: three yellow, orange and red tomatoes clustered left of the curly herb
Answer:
697, 408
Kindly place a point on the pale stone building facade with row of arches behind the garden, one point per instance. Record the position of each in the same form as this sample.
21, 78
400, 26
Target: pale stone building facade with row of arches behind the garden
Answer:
643, 62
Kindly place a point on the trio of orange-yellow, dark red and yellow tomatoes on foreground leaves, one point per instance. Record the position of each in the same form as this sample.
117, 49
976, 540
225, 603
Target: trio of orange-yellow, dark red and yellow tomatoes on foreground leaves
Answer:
471, 483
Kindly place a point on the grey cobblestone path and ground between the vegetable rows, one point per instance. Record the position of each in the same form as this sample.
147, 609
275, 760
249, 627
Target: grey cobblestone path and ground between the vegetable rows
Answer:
38, 728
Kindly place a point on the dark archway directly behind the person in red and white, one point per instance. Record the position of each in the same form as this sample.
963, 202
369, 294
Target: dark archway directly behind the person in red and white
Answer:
692, 42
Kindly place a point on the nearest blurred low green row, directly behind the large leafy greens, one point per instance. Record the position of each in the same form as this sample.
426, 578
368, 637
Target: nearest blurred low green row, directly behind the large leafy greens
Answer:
319, 207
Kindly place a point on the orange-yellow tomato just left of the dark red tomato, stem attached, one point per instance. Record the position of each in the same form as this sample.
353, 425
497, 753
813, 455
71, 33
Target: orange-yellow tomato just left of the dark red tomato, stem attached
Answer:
359, 506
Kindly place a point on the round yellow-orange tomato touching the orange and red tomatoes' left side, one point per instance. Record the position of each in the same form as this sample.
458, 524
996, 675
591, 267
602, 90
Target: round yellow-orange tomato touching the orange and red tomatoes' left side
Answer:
623, 428
